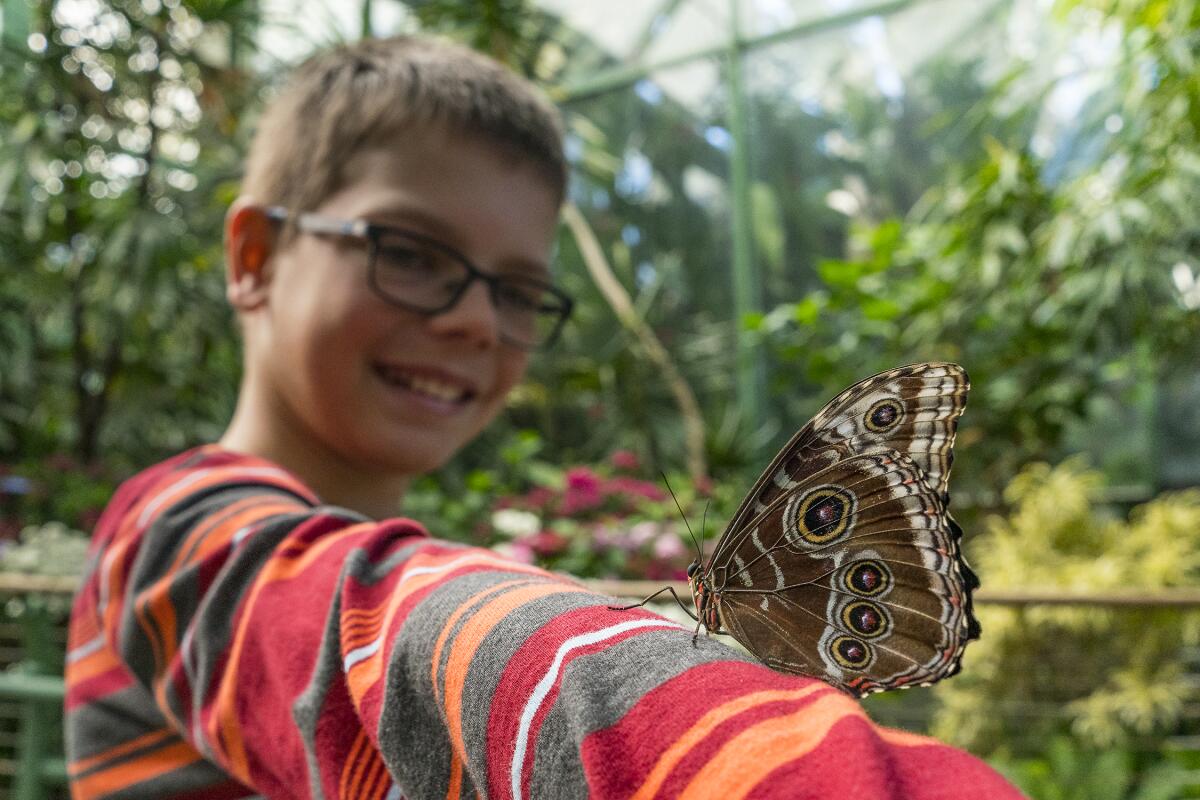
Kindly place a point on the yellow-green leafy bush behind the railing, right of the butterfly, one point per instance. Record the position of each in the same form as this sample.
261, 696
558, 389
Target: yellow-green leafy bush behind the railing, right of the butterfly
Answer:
1115, 676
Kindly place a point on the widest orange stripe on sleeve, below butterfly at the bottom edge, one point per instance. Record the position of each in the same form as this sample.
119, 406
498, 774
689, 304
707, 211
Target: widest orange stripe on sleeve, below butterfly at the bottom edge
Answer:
757, 753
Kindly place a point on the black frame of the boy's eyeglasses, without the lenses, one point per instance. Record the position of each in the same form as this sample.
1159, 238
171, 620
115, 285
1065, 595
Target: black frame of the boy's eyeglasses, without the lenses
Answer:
370, 232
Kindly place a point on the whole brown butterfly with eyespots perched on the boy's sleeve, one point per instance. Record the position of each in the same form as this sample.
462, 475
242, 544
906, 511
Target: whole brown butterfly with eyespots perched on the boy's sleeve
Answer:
843, 562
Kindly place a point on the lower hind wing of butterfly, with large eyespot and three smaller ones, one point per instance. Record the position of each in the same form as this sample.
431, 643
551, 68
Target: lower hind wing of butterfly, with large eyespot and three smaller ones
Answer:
855, 578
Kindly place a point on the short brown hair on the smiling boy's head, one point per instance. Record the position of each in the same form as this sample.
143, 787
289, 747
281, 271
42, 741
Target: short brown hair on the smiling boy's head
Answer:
357, 97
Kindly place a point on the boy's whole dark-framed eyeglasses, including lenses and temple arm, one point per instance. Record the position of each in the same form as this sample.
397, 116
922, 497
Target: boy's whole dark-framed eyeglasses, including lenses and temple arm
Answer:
421, 274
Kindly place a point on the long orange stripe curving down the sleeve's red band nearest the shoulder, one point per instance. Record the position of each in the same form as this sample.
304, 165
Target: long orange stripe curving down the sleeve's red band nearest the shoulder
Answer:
224, 725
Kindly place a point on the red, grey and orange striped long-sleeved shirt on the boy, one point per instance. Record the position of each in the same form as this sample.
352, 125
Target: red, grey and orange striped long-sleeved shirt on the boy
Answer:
235, 637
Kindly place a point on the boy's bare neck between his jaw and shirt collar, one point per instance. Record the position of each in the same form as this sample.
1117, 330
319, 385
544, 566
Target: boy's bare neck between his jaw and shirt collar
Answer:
277, 436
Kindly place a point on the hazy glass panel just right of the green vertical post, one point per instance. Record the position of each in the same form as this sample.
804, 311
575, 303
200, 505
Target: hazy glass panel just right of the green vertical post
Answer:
844, 127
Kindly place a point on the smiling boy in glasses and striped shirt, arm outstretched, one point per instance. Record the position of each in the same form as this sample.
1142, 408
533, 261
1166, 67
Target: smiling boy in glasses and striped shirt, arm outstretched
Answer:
249, 628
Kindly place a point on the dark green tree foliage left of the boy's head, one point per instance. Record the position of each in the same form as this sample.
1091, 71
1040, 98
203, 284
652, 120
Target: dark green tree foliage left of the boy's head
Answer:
123, 135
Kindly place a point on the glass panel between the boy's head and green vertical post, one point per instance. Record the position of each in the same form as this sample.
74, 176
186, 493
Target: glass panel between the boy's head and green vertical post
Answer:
651, 176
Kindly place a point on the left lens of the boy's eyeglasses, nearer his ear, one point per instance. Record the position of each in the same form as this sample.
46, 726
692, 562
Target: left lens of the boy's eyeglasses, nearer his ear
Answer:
416, 274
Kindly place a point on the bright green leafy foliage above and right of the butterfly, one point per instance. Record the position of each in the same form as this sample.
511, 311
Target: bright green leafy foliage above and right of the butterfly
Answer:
1055, 273
